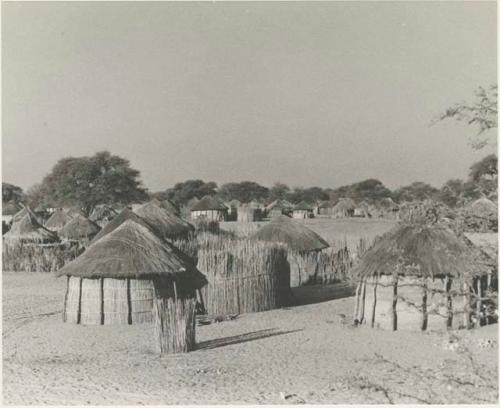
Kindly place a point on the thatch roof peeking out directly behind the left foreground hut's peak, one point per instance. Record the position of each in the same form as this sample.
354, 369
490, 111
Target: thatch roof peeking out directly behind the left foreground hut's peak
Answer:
169, 225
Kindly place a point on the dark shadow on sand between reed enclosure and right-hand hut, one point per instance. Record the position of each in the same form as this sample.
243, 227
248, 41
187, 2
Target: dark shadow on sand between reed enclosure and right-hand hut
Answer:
309, 294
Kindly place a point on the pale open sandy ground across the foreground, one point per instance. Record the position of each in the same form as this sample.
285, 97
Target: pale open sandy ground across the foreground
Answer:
294, 355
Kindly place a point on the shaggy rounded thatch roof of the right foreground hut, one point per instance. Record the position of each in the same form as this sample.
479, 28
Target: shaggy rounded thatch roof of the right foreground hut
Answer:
428, 251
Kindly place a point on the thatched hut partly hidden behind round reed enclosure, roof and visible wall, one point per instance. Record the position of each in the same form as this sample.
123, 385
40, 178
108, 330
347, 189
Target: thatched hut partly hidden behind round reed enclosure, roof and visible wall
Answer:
307, 263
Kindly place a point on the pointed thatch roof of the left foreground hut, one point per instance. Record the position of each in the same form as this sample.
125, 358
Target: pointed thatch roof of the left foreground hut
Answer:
133, 251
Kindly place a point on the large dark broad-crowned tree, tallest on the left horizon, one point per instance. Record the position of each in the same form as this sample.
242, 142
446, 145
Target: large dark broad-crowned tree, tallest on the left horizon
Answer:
88, 181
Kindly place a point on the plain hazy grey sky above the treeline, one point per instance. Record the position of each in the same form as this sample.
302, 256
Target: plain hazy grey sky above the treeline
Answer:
305, 93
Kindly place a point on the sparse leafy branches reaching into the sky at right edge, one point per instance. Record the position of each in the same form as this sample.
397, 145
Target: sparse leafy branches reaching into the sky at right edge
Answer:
482, 113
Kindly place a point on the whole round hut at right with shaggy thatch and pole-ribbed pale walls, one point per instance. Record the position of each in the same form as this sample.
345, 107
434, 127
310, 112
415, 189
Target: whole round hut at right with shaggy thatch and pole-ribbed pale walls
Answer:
419, 277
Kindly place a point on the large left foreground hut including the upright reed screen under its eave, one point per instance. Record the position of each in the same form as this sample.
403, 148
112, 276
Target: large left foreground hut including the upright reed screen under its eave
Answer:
131, 276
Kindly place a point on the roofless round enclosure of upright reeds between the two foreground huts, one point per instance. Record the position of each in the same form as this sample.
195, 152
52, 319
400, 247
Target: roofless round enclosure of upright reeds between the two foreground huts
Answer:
244, 276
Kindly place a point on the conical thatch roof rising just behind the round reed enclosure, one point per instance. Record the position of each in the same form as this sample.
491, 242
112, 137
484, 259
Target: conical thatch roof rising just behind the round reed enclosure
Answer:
294, 234
